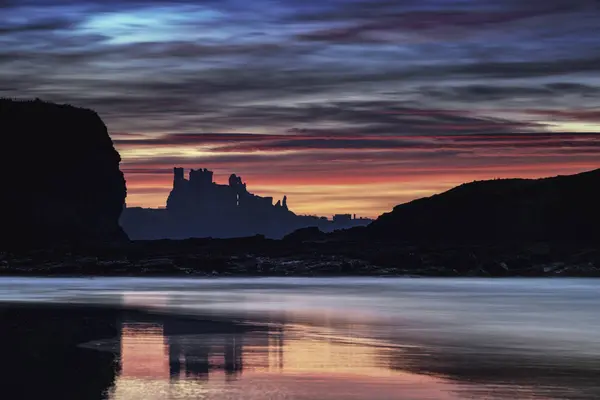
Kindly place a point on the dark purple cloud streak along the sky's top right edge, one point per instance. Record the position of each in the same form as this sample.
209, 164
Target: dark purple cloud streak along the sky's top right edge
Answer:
384, 21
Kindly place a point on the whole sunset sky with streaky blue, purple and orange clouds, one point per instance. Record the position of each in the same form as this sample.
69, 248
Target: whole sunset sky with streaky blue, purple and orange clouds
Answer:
345, 106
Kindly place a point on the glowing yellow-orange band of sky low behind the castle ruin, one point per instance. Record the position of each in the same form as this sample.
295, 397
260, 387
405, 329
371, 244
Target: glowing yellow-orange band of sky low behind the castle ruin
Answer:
312, 198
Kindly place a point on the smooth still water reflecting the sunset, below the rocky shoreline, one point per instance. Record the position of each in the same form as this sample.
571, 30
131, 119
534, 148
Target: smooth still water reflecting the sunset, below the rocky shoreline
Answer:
309, 338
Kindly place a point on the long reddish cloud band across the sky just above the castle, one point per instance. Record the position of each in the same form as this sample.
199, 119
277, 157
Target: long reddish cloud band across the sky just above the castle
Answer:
225, 147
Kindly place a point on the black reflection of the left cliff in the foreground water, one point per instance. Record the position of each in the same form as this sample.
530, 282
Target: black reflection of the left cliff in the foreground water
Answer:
42, 357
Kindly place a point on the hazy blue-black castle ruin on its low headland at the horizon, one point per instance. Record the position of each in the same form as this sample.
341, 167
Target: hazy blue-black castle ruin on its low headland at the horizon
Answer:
199, 207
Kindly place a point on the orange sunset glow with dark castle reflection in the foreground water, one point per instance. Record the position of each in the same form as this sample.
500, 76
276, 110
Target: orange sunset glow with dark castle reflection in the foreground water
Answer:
168, 360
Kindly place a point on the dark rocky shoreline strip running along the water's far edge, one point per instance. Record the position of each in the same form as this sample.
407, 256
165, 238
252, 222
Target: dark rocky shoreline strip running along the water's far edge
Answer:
257, 257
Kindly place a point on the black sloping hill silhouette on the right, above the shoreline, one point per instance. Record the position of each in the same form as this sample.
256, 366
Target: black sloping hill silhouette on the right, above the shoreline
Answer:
559, 208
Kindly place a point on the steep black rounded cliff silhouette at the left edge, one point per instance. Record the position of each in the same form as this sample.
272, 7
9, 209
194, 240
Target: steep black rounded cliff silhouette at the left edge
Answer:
60, 176
